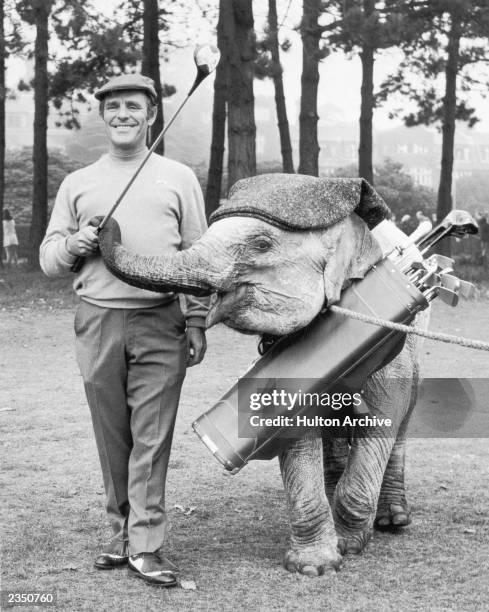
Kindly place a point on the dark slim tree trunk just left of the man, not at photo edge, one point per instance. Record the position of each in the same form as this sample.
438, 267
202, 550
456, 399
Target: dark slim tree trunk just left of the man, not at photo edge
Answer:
42, 9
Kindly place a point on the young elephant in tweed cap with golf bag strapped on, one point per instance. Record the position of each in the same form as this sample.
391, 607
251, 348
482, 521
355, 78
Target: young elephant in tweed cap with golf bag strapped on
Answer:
277, 253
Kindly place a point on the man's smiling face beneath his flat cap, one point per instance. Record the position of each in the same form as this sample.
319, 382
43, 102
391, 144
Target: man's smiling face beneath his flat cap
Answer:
127, 116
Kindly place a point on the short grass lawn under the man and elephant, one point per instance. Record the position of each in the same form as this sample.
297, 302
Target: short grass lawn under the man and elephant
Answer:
228, 533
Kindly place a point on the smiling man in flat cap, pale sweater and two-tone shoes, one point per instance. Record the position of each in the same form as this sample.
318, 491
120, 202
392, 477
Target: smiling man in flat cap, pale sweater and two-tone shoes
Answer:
132, 345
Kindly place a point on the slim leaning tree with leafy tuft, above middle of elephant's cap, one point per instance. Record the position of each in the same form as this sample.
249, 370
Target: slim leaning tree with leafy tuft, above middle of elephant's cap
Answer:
268, 65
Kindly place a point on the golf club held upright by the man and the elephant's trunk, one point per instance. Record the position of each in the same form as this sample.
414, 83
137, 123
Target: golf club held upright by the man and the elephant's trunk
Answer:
206, 58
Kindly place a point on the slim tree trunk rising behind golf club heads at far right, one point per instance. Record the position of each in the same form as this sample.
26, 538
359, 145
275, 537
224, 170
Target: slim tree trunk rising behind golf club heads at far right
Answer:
448, 128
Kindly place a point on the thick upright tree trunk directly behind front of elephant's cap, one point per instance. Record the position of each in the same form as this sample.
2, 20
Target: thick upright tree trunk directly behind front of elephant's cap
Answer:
240, 41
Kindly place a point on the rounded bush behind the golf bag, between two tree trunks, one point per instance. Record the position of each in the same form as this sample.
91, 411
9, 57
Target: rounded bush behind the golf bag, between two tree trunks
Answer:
397, 188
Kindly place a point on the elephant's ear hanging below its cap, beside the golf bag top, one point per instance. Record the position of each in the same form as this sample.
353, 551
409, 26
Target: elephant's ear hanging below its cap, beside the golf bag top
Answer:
354, 253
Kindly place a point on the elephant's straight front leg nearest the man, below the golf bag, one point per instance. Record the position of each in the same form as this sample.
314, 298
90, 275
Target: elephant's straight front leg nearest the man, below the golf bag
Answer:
313, 542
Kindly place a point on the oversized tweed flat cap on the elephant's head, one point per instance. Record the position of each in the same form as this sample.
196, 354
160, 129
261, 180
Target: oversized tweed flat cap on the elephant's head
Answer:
302, 202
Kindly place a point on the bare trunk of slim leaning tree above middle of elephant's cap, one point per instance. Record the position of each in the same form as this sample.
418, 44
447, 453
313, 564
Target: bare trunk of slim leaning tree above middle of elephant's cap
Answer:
283, 122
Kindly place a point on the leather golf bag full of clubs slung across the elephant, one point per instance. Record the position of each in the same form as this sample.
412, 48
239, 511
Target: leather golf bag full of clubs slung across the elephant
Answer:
335, 352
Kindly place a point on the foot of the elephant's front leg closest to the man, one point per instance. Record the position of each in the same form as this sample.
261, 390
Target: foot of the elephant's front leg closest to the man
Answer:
312, 561
